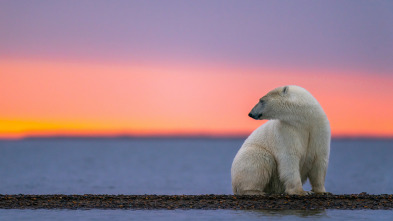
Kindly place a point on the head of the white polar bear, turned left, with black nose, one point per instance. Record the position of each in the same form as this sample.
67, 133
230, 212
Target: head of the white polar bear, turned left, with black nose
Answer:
284, 103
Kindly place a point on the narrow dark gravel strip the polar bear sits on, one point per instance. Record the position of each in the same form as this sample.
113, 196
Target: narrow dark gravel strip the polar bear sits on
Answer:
353, 201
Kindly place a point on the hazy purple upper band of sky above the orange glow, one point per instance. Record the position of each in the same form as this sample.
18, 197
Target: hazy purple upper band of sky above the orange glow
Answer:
353, 34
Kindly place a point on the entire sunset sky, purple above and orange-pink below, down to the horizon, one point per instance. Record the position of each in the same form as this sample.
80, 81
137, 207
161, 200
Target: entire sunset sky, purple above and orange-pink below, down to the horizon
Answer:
112, 68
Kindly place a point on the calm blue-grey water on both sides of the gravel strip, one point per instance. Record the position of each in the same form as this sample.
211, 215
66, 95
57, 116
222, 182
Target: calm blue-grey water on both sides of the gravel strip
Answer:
173, 166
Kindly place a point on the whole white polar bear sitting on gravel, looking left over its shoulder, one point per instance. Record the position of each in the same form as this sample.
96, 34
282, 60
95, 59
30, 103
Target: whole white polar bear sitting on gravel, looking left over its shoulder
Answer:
292, 146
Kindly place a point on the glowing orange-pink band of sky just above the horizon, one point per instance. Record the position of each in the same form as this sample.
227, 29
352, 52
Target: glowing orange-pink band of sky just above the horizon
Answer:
59, 98
